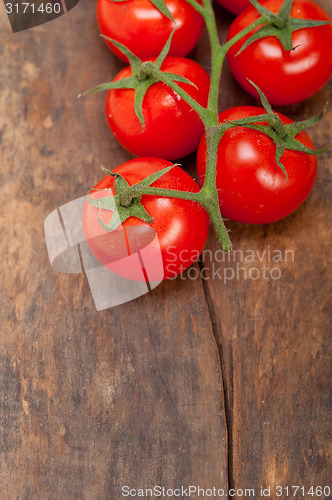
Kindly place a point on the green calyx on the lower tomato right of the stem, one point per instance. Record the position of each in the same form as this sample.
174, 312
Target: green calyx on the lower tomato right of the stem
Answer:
282, 135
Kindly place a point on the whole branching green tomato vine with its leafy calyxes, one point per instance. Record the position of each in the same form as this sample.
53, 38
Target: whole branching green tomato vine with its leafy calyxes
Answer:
147, 73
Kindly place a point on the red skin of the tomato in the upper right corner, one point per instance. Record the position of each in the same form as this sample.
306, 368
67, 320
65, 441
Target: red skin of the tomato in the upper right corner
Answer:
286, 77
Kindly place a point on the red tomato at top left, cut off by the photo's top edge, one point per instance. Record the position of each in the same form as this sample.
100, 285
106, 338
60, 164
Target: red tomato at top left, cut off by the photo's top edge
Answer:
144, 30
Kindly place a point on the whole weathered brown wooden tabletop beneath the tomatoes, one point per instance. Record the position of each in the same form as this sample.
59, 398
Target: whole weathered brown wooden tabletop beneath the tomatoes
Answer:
214, 383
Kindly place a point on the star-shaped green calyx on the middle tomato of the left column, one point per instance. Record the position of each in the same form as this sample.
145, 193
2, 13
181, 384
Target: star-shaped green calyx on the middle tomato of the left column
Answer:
142, 75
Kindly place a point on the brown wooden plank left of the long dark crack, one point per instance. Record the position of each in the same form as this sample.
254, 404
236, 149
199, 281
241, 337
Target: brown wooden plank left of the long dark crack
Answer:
89, 401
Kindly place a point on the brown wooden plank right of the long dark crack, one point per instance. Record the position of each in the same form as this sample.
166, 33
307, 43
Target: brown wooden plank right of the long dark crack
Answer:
273, 334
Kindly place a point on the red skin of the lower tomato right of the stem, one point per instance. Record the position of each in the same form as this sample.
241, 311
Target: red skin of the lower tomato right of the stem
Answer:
252, 187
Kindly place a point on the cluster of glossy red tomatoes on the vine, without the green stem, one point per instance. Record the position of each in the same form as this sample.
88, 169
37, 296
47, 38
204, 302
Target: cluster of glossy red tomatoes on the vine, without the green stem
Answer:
251, 185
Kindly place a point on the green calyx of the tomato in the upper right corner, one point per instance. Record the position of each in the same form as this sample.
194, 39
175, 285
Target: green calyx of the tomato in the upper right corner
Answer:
280, 25
